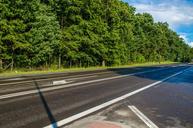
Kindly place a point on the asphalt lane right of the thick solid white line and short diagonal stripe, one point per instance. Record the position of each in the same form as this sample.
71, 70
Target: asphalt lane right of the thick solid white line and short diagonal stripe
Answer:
170, 104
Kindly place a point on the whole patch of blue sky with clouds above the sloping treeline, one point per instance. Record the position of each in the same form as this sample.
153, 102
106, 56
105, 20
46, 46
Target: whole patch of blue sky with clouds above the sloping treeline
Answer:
178, 14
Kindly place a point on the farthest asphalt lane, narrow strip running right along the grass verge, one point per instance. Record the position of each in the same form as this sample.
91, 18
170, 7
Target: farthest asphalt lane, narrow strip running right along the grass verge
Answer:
29, 78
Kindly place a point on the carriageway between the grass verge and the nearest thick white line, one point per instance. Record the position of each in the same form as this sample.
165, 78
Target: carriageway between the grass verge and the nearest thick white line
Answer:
38, 101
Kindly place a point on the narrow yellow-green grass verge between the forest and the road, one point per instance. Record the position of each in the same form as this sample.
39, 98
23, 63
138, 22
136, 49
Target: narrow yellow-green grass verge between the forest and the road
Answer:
17, 72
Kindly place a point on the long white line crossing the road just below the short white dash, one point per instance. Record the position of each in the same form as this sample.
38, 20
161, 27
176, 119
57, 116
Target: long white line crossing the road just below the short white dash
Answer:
68, 85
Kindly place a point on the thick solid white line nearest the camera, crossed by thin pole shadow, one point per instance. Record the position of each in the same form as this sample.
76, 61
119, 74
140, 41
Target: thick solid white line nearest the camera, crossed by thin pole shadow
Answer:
106, 104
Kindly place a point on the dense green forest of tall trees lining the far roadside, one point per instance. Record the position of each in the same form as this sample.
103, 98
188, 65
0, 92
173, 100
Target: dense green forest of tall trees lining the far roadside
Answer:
83, 33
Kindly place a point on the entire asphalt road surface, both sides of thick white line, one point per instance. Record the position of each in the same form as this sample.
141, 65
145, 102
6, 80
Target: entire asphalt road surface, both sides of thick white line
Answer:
38, 101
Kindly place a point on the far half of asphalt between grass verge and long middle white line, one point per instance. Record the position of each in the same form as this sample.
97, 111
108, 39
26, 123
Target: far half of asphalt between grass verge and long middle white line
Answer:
24, 83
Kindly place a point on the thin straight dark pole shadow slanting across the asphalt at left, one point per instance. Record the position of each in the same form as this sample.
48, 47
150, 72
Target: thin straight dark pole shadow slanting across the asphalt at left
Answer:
46, 107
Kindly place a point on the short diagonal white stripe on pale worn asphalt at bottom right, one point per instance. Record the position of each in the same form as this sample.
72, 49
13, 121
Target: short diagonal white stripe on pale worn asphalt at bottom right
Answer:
144, 118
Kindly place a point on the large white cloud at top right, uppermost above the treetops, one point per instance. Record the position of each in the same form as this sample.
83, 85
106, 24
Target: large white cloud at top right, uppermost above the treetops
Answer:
174, 14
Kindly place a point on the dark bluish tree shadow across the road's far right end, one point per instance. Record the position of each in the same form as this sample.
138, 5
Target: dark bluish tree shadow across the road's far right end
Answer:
156, 76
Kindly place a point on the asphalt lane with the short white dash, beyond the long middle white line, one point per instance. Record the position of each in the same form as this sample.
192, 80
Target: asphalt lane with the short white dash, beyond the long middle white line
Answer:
7, 88
